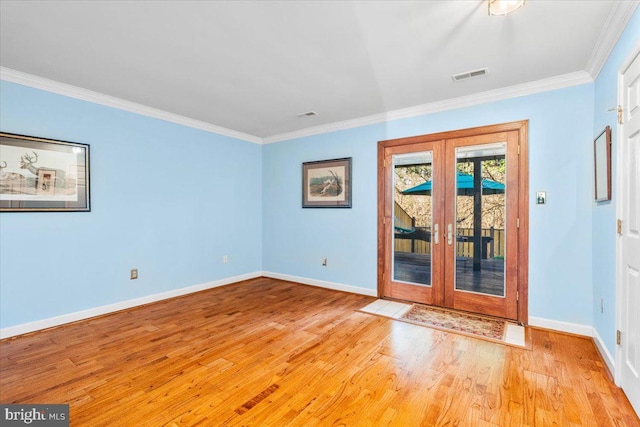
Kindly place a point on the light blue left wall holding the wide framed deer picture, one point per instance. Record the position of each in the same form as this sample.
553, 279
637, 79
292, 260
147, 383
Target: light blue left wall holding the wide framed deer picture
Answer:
166, 199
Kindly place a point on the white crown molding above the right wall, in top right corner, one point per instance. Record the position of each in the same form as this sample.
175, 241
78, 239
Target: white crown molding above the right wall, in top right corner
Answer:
614, 26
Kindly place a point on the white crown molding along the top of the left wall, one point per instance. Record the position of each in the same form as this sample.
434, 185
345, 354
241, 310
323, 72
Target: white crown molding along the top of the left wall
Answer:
71, 91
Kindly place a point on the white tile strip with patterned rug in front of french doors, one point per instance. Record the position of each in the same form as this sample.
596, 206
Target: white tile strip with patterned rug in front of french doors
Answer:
489, 328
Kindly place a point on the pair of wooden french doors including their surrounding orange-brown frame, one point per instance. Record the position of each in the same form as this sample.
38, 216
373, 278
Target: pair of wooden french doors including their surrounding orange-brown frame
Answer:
452, 220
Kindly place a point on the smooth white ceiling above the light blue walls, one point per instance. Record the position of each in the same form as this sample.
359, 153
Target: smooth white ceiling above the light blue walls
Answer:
252, 66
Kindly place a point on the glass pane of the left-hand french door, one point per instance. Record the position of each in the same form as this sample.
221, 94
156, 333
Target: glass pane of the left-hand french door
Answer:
412, 218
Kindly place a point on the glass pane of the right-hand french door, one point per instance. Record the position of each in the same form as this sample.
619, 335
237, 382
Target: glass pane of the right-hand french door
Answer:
480, 219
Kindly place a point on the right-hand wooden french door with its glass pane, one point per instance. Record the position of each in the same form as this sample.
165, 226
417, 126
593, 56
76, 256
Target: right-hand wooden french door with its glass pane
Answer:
481, 261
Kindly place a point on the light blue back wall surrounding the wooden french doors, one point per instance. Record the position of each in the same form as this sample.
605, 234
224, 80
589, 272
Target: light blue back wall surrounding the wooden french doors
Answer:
560, 128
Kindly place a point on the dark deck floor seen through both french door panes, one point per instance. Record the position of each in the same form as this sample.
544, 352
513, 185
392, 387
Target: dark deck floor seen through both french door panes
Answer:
416, 268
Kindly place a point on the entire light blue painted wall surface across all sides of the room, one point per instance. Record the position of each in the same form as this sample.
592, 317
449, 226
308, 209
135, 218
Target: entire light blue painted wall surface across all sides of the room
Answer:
171, 201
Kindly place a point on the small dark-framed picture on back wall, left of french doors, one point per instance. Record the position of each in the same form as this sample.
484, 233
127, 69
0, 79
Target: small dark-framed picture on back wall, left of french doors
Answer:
327, 184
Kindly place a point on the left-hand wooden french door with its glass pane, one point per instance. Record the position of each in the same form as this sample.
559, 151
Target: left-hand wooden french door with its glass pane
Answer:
413, 264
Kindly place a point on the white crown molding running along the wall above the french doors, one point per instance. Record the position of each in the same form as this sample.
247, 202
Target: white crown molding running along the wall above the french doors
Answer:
552, 83
